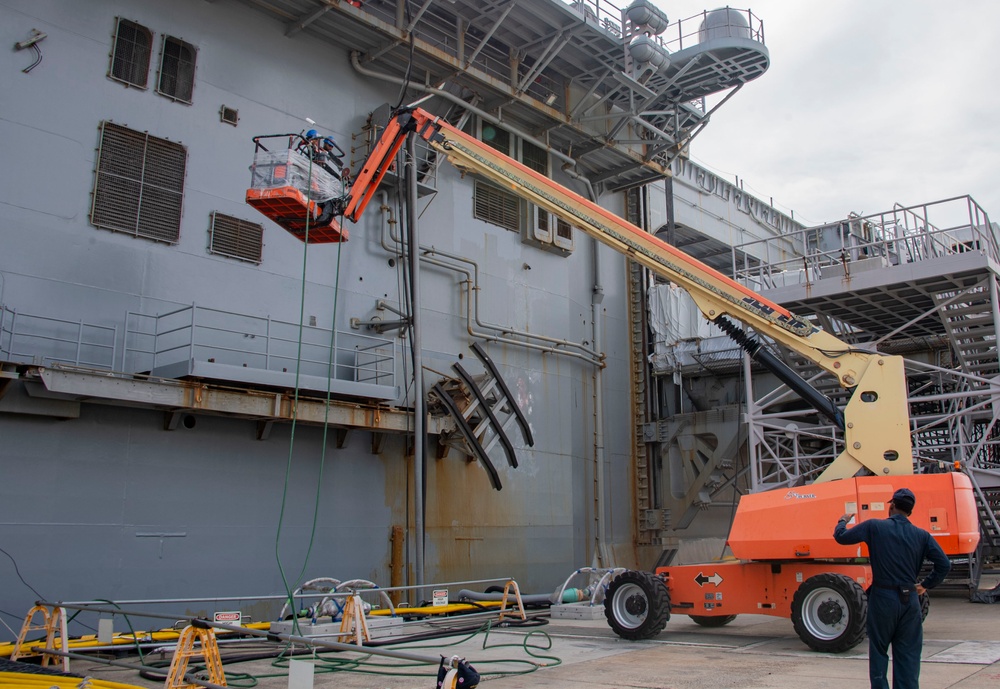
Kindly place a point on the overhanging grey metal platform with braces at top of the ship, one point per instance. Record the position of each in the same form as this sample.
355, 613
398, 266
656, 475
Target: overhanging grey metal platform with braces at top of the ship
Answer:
615, 94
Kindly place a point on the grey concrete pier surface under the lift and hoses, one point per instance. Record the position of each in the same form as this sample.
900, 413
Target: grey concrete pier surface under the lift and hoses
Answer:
961, 651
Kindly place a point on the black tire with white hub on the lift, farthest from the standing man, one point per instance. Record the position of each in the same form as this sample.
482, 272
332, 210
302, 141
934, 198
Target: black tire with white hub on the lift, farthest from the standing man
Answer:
637, 605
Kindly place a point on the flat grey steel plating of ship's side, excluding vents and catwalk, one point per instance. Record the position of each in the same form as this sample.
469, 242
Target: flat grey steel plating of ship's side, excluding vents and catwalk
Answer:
108, 504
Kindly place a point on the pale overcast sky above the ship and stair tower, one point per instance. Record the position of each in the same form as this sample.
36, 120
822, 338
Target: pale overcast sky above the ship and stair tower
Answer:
866, 103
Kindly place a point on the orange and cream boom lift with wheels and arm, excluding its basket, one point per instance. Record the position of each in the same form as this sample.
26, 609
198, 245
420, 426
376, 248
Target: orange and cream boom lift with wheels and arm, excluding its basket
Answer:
787, 563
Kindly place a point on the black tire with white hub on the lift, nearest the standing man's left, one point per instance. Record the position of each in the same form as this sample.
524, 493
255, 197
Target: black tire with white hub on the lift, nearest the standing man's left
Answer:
829, 612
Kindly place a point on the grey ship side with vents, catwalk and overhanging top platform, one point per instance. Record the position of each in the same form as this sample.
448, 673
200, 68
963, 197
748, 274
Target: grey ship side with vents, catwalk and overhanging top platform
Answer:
159, 337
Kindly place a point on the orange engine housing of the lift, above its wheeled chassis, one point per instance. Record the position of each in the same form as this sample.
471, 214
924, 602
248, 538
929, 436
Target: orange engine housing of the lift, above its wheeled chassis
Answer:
798, 523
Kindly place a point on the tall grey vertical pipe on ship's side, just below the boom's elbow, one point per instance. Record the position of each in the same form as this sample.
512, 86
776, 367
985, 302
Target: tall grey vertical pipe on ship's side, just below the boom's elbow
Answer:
419, 413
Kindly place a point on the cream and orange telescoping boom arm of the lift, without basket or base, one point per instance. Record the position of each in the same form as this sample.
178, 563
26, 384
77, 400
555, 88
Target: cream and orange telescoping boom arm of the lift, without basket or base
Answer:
879, 380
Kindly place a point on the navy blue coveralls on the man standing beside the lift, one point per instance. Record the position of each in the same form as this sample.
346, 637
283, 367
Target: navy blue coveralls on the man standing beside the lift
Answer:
897, 549
